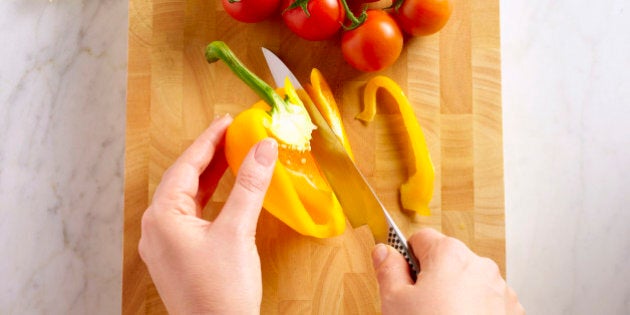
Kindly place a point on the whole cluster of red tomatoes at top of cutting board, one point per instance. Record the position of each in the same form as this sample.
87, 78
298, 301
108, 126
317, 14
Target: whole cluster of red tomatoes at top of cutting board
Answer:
371, 39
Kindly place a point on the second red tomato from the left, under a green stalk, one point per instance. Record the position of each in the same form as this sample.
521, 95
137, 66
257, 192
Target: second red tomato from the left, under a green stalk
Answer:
324, 21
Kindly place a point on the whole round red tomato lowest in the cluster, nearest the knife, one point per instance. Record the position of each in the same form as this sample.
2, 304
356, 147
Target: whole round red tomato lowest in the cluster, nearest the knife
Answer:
374, 45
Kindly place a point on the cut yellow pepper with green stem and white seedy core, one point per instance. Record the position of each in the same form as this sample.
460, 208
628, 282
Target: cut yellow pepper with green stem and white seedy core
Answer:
298, 194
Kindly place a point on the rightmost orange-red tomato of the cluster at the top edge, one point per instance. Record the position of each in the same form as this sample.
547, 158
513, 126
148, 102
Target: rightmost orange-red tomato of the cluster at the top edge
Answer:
423, 17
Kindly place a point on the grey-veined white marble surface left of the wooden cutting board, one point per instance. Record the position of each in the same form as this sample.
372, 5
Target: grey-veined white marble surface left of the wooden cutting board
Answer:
62, 122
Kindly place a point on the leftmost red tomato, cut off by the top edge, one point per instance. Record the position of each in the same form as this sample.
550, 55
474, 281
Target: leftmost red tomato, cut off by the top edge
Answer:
251, 11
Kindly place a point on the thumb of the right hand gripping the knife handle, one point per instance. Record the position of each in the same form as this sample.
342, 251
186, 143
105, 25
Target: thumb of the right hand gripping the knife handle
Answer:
392, 270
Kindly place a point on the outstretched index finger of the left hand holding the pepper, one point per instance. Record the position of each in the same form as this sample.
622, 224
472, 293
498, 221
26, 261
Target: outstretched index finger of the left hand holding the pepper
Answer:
181, 180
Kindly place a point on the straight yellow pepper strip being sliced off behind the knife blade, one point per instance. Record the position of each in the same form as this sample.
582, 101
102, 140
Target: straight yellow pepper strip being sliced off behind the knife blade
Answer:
323, 98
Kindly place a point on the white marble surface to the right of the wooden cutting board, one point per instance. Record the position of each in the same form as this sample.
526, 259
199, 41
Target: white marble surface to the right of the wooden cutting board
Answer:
566, 102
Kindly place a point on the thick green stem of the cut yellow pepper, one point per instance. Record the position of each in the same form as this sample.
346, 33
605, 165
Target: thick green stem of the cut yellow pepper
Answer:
219, 50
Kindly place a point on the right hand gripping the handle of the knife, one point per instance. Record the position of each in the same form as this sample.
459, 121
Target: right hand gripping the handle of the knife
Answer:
452, 280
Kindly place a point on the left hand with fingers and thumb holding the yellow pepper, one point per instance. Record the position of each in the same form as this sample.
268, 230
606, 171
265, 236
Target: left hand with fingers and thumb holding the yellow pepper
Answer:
200, 266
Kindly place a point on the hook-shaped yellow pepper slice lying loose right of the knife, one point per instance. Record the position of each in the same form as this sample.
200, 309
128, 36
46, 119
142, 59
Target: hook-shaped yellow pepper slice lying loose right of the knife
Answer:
417, 191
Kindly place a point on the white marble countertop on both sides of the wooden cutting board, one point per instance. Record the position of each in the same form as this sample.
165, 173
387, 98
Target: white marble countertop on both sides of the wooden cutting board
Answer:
566, 103
